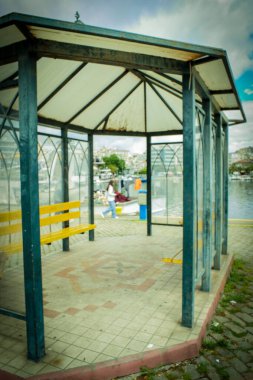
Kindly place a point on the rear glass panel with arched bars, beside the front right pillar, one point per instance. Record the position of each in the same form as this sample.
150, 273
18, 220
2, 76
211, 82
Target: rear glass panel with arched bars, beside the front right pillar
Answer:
167, 183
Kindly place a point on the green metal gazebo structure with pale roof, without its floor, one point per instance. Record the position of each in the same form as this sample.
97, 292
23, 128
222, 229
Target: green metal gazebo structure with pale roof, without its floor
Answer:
77, 78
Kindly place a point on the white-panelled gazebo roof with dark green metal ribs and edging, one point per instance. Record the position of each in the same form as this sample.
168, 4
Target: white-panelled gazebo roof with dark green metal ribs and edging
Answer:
107, 81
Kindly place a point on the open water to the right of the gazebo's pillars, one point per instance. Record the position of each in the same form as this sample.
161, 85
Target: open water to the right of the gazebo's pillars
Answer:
240, 200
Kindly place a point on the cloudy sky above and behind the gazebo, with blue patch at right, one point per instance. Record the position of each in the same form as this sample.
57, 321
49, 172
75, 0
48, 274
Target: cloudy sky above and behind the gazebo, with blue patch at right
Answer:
226, 24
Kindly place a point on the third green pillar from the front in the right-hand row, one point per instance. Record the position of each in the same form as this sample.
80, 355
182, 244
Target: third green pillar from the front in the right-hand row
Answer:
218, 192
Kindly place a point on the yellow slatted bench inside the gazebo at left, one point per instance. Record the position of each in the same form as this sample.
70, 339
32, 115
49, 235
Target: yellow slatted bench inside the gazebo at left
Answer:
62, 212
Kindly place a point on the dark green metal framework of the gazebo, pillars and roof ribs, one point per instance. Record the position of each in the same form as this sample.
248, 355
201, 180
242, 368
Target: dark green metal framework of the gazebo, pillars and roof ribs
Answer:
27, 53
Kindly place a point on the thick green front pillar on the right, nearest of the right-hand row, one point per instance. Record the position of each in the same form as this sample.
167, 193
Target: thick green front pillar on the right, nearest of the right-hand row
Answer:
189, 199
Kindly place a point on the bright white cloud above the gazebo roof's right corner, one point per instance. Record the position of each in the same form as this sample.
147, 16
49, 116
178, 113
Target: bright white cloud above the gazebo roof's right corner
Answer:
225, 24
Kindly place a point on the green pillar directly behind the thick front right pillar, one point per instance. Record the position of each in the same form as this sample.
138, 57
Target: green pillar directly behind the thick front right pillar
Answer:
207, 233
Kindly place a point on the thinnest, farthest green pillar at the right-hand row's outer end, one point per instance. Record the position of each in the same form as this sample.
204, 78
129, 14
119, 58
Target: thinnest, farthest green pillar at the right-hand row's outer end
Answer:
225, 192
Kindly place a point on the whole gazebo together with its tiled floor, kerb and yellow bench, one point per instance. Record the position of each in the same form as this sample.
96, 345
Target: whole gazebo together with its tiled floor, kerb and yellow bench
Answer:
106, 297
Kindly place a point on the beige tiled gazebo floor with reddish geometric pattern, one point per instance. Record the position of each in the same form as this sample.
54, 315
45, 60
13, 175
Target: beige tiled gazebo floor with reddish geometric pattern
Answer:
104, 300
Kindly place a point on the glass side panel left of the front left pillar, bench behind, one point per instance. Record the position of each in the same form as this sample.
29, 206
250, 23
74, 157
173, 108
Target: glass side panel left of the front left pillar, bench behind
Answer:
11, 257
